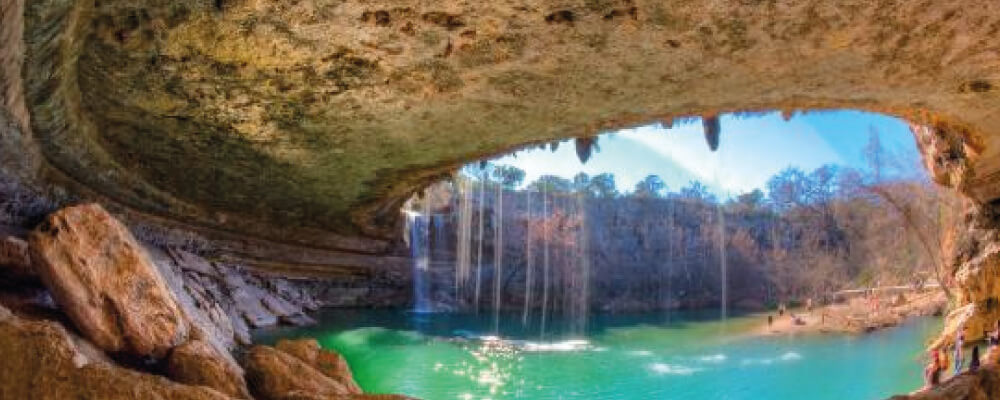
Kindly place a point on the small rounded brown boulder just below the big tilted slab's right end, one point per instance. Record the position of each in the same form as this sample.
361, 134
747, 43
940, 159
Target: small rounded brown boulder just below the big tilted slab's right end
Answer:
198, 363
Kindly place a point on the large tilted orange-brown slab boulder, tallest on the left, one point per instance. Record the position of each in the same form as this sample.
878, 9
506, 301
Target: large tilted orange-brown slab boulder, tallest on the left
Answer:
105, 282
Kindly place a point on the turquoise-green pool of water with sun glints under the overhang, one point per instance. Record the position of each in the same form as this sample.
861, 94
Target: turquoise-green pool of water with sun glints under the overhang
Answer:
681, 356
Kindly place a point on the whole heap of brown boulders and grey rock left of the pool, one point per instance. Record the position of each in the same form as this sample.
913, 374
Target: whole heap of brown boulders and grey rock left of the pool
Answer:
125, 324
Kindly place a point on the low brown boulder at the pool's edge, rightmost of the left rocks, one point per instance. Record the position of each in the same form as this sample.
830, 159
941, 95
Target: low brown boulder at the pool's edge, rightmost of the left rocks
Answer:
275, 375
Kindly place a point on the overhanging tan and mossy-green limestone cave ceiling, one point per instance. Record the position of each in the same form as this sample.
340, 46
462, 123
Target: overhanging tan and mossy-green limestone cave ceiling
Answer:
313, 119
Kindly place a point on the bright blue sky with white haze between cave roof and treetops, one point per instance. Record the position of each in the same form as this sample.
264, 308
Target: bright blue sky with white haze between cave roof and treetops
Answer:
751, 150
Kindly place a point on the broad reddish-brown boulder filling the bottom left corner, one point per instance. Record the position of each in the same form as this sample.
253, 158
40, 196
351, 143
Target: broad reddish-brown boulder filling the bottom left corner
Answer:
42, 361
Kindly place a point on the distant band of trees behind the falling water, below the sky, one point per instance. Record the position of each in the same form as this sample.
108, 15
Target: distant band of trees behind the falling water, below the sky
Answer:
808, 235
